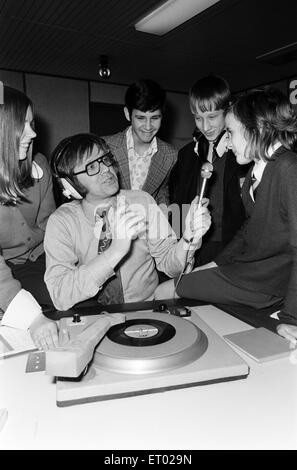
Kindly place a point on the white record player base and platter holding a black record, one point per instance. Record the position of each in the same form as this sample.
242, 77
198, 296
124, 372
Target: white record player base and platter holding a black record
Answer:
151, 352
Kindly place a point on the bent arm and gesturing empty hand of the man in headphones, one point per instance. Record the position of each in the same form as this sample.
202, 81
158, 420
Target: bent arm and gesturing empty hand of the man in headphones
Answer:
69, 282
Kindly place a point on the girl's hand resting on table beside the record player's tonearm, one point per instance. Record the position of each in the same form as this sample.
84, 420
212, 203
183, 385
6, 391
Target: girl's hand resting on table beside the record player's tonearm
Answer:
44, 333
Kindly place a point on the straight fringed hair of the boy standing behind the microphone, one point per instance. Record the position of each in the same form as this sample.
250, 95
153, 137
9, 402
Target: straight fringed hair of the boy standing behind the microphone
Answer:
211, 93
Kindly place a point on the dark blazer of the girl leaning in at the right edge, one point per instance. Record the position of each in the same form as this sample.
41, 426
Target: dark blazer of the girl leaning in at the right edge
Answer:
263, 255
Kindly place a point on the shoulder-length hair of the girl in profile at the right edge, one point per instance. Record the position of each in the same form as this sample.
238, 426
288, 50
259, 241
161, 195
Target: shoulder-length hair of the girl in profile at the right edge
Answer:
267, 117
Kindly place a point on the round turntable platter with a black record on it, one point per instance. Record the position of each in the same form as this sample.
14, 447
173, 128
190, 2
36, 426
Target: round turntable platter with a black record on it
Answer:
150, 342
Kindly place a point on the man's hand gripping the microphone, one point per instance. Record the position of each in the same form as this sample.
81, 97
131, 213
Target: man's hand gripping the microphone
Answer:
198, 220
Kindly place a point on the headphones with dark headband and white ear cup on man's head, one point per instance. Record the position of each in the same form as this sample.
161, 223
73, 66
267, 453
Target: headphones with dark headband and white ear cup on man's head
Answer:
69, 189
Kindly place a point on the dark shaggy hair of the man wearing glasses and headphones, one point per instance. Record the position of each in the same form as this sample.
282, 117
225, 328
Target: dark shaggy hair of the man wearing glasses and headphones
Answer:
73, 151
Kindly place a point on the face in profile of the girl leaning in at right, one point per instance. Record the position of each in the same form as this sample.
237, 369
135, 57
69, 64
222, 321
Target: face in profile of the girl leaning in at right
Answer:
237, 141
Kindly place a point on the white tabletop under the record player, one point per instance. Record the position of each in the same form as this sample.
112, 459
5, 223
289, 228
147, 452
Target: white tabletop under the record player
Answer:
259, 412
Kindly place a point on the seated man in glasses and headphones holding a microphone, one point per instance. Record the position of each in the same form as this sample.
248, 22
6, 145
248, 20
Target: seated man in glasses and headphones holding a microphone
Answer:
106, 243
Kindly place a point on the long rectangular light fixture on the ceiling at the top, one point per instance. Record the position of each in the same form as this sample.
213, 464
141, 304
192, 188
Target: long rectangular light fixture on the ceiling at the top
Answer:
171, 14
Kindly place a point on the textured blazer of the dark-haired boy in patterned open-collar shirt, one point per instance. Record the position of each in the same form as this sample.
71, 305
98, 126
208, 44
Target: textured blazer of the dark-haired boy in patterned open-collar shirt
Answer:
156, 183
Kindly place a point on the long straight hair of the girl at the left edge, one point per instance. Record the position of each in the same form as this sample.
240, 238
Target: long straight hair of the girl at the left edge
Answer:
15, 174
